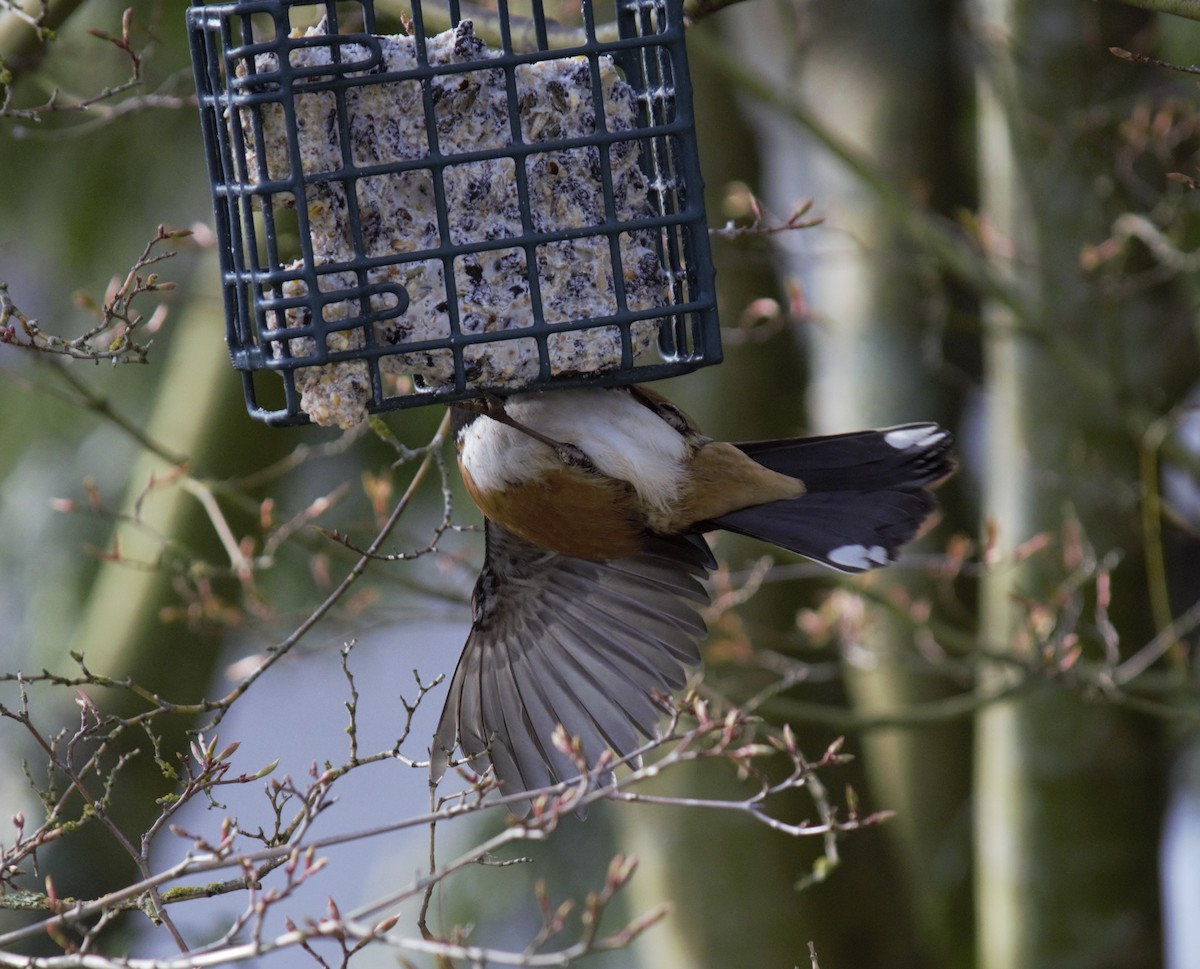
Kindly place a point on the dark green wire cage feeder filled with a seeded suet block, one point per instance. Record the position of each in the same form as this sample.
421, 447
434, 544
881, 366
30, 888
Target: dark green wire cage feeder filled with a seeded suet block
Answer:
482, 201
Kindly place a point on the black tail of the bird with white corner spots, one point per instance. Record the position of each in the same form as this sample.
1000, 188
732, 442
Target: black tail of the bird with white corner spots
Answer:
867, 493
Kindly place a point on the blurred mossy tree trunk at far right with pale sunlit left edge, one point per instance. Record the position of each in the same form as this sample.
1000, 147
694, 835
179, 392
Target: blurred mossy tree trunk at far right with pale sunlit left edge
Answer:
1064, 816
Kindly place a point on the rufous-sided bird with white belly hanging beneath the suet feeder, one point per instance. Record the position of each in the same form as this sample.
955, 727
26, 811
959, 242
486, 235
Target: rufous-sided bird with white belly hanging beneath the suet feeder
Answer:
596, 504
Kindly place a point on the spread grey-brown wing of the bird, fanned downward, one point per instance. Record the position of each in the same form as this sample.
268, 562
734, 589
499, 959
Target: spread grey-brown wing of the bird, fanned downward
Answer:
565, 641
